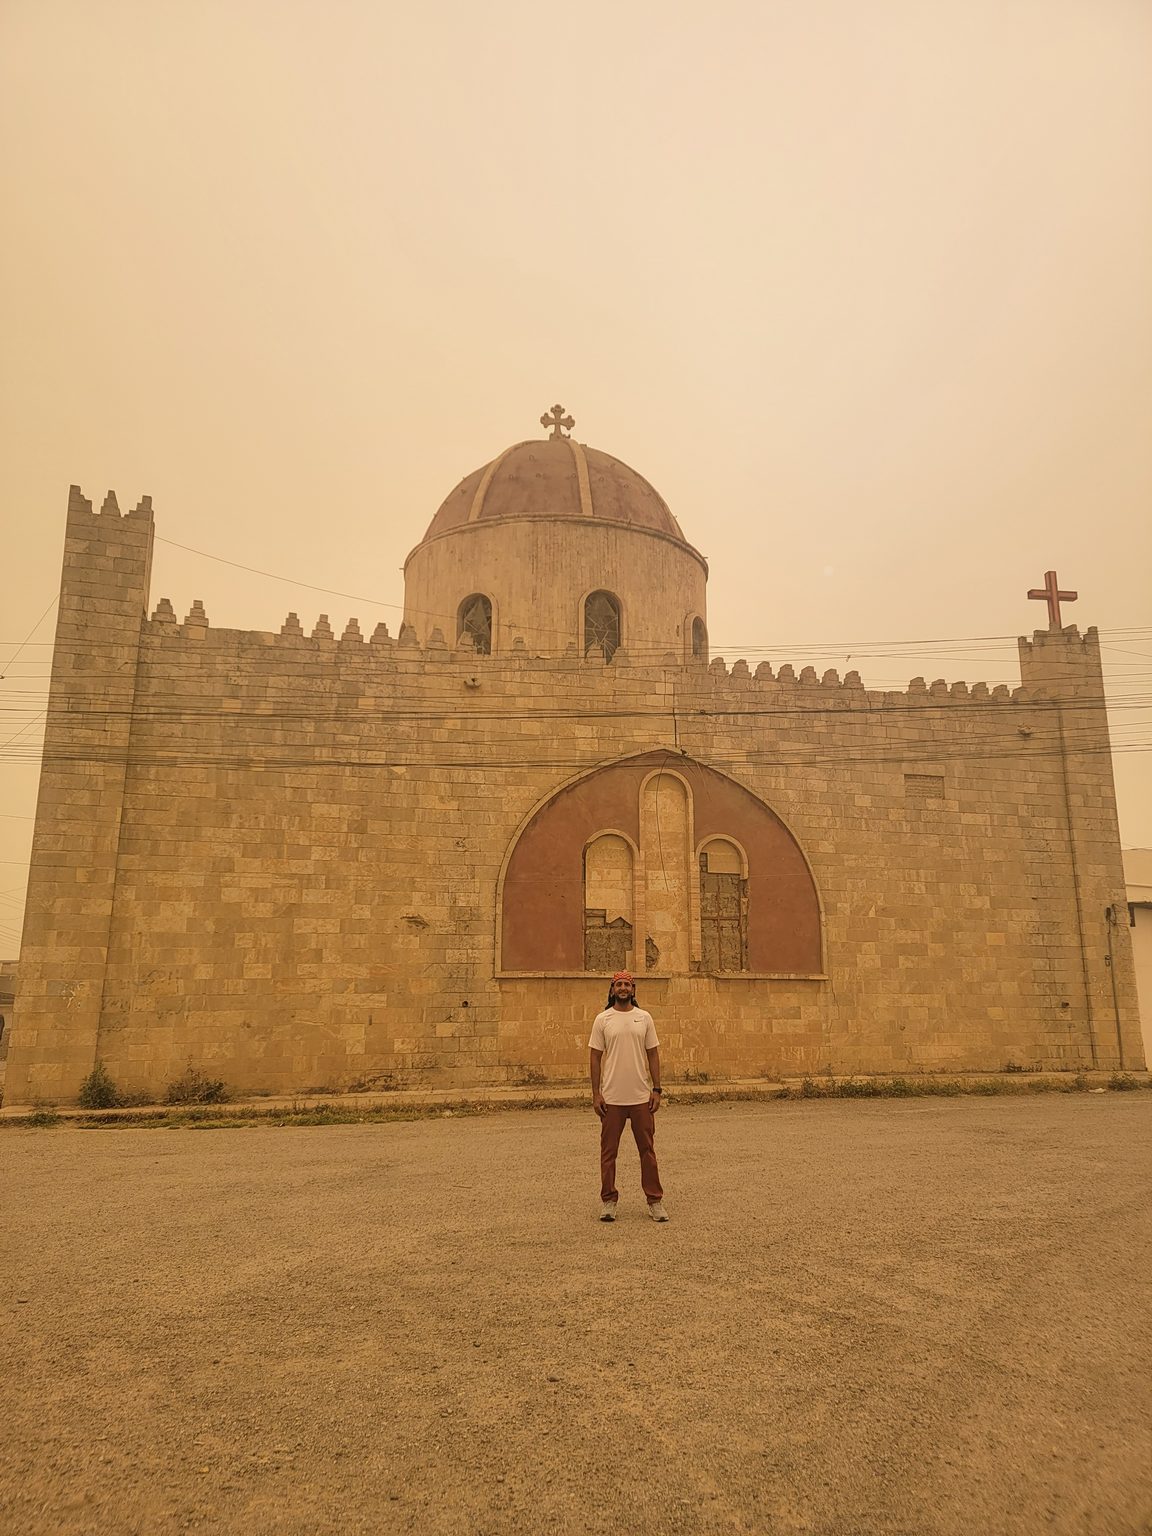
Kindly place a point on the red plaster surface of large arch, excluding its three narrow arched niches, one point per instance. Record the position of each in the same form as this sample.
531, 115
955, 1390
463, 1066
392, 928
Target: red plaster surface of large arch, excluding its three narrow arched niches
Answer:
541, 924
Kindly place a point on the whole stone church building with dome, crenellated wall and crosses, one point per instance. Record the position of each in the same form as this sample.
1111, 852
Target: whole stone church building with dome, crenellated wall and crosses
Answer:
308, 861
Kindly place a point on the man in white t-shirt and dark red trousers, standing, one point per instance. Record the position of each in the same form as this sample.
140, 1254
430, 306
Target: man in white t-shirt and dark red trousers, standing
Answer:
624, 1059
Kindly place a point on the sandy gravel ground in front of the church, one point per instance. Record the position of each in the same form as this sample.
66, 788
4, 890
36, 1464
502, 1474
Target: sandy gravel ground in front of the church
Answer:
889, 1319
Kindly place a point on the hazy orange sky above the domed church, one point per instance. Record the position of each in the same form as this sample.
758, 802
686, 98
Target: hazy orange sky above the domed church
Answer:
862, 288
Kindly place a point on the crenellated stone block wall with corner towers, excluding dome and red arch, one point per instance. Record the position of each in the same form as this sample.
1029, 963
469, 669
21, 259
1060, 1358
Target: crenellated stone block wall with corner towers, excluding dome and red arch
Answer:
277, 856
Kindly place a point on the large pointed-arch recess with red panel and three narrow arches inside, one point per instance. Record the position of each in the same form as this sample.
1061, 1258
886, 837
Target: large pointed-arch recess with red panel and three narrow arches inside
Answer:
661, 864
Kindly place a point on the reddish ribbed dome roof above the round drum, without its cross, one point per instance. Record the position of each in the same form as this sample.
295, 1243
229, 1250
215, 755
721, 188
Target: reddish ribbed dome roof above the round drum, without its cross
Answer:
555, 478
